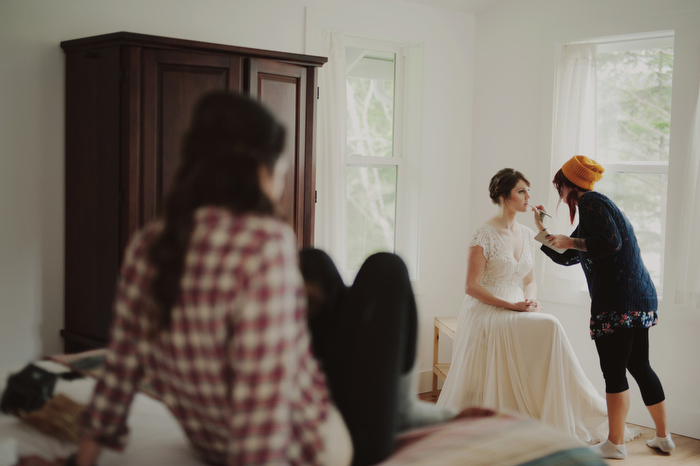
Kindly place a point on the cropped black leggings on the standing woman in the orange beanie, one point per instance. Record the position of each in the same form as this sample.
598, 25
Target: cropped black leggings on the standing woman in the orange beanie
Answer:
628, 349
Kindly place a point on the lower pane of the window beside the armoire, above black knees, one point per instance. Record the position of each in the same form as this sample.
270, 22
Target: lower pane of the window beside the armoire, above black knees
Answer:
371, 212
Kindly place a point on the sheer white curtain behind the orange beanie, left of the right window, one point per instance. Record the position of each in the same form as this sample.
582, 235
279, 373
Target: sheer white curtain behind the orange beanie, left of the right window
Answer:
574, 133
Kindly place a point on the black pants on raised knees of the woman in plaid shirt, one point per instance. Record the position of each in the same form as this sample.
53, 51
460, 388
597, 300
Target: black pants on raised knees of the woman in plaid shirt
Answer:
364, 337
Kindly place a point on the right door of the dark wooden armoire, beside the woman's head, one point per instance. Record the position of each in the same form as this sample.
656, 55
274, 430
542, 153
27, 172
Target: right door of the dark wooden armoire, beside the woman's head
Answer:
282, 87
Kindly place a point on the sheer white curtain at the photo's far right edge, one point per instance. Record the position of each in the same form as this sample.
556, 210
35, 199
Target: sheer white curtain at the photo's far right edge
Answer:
685, 251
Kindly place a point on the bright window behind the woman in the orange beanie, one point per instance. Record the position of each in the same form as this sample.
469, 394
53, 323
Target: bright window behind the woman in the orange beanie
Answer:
634, 81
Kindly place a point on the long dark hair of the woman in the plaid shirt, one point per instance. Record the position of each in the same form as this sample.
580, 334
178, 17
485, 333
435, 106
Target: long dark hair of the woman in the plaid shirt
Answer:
230, 137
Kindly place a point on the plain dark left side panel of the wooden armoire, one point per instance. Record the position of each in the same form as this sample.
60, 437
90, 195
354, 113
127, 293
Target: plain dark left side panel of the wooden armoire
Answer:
91, 189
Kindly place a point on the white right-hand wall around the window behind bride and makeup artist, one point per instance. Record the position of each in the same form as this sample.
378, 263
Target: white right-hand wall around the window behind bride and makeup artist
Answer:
512, 127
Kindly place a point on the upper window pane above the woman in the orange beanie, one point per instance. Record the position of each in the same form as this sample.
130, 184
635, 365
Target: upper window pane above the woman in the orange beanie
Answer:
634, 105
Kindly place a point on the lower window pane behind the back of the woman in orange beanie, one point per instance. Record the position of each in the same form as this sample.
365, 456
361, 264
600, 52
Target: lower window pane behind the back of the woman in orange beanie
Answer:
643, 199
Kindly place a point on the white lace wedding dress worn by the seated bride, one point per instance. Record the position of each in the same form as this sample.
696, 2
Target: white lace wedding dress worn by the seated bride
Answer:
518, 361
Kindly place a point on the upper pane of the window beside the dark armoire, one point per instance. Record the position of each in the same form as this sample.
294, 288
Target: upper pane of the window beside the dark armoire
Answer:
370, 102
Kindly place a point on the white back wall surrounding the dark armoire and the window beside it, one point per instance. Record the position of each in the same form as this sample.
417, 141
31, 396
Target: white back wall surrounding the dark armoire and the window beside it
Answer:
31, 137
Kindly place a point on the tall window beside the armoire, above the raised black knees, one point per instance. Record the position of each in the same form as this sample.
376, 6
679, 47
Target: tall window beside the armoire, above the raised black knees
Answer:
379, 217
